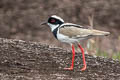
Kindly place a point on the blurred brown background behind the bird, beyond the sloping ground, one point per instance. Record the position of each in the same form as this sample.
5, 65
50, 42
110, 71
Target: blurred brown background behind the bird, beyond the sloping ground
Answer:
21, 19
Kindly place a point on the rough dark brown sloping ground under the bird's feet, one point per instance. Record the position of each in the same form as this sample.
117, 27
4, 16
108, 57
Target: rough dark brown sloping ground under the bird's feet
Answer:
20, 60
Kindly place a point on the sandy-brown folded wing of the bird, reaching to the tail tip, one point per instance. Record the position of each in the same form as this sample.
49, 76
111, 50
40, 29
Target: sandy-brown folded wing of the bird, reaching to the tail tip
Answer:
75, 32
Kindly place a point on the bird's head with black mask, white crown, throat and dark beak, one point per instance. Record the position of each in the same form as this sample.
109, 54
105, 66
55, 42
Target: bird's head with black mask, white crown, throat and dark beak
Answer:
54, 21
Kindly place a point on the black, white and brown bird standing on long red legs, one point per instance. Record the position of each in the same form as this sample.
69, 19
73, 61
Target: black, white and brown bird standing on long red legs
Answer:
72, 34
